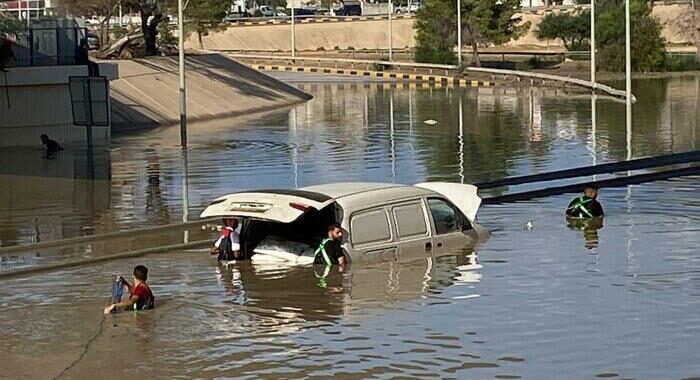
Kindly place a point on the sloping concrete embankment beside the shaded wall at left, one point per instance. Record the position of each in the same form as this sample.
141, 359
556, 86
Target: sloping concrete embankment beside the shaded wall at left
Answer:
146, 93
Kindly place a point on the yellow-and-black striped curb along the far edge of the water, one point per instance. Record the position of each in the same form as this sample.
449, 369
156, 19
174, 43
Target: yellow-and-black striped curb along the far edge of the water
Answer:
425, 79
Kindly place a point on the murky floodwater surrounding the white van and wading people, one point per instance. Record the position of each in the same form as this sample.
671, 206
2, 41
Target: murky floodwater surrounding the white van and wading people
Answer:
550, 301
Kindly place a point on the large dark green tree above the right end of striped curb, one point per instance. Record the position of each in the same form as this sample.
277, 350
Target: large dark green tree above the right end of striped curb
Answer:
483, 22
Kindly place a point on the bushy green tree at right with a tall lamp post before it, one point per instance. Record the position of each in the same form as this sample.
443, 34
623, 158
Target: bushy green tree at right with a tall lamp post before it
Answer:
647, 45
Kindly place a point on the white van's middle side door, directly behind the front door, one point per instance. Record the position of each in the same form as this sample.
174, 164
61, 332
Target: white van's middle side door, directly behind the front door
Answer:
412, 228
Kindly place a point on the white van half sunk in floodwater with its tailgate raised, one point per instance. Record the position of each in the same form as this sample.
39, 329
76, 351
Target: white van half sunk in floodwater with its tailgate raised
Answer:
381, 221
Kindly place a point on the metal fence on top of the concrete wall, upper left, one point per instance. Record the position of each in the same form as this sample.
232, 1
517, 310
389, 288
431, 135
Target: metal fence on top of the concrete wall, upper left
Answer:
45, 45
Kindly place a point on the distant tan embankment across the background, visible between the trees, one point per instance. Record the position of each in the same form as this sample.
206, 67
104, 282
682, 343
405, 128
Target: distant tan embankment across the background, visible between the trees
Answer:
373, 34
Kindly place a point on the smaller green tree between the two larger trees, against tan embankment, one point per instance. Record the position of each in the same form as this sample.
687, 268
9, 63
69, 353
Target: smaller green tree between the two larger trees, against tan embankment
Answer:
574, 30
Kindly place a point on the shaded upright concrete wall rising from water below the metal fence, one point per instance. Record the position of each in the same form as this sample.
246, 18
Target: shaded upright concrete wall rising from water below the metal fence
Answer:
36, 100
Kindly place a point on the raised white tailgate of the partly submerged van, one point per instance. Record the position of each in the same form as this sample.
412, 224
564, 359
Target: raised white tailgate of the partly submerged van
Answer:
284, 206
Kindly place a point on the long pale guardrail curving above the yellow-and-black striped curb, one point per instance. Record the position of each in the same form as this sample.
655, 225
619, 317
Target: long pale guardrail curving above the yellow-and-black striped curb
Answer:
515, 73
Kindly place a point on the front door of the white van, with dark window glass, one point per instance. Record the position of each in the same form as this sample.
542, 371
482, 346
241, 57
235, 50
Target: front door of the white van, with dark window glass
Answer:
452, 231
